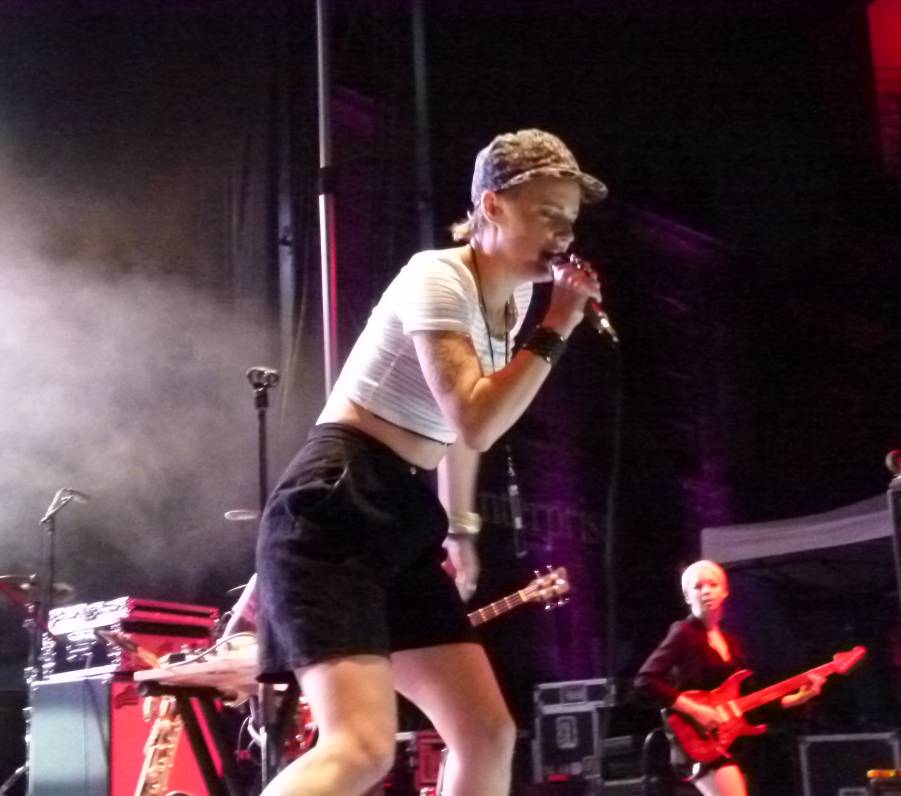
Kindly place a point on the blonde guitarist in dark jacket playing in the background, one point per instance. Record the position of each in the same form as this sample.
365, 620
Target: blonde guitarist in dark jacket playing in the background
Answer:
697, 655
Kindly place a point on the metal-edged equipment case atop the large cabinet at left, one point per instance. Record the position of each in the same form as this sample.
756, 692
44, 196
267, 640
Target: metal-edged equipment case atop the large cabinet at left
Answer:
74, 642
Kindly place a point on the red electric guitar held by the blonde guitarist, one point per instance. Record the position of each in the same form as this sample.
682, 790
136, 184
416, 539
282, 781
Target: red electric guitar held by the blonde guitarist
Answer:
705, 747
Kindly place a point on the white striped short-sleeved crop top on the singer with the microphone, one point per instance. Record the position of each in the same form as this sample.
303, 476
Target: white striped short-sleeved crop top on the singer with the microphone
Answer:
434, 291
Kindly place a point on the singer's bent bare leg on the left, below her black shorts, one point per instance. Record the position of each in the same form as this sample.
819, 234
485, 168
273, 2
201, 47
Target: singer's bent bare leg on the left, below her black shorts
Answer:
353, 702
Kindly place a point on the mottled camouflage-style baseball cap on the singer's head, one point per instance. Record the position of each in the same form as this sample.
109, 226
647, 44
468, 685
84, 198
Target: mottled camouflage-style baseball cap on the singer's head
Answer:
514, 158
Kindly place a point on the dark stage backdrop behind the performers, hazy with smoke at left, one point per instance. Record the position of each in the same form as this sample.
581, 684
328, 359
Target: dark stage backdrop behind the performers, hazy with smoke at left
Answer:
158, 237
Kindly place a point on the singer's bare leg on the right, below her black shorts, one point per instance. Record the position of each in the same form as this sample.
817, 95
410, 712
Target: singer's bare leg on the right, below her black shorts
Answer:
454, 686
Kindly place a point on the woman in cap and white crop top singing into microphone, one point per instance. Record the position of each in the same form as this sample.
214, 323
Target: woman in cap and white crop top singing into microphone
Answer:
353, 600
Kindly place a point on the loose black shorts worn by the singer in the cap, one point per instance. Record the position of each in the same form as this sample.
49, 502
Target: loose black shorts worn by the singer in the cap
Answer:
349, 558
